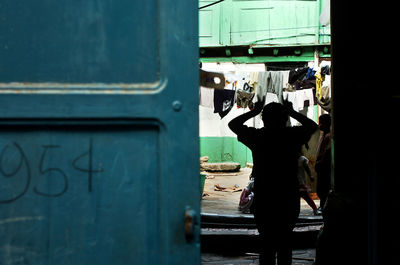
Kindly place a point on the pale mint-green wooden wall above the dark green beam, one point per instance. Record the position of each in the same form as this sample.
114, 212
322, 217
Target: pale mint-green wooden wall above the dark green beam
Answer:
271, 22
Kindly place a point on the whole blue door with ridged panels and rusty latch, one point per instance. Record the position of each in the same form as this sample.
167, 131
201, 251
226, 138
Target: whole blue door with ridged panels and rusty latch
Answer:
99, 132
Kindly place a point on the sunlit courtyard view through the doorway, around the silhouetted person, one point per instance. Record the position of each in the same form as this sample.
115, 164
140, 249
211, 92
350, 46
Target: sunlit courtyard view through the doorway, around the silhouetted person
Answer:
237, 42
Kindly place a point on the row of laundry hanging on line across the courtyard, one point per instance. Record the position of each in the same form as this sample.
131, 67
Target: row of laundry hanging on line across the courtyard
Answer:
303, 86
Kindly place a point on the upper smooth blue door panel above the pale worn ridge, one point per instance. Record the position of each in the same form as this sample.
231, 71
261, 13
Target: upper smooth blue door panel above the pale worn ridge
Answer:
84, 41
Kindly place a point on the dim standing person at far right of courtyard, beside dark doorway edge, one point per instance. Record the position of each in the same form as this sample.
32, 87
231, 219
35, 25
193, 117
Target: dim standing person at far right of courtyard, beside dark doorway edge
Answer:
323, 161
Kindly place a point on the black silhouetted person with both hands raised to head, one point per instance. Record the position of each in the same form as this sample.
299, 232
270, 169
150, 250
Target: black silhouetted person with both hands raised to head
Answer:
275, 149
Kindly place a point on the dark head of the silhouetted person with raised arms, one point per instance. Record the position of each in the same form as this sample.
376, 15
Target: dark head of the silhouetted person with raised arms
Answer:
275, 115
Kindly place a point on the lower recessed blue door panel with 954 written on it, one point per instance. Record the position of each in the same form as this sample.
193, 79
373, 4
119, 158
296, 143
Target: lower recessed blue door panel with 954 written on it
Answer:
82, 188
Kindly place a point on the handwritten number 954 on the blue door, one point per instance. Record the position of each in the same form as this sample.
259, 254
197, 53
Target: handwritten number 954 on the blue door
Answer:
54, 172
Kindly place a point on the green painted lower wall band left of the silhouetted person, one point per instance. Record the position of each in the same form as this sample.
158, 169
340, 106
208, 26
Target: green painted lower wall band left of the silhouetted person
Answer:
225, 149
